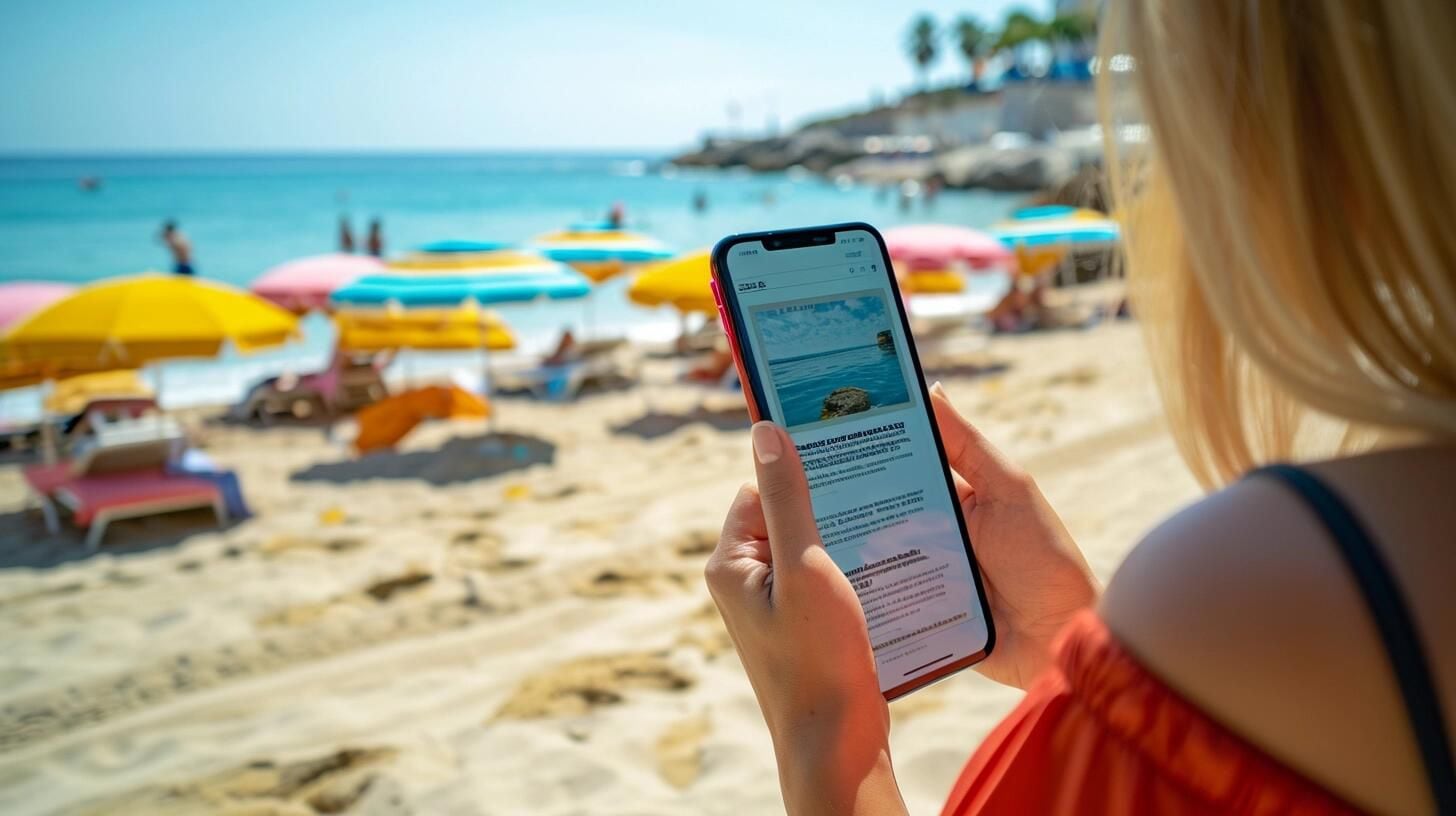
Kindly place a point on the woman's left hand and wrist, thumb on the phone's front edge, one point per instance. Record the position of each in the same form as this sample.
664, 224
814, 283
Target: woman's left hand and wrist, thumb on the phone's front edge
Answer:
802, 636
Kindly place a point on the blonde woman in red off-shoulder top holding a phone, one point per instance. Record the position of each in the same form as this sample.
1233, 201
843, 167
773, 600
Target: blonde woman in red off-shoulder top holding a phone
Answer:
1289, 643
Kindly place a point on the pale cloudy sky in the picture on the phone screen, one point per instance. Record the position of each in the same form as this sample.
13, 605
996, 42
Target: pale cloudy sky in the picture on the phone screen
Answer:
820, 327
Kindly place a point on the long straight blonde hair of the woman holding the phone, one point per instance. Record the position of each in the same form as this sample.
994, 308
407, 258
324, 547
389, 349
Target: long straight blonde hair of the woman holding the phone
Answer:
1292, 229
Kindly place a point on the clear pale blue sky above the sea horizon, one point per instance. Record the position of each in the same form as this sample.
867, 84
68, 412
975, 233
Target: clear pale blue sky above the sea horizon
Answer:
443, 75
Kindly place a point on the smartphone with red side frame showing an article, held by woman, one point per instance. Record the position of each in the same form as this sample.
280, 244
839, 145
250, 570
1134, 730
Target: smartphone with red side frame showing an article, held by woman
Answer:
823, 348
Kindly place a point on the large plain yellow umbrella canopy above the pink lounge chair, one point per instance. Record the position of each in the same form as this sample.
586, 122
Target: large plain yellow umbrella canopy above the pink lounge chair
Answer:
127, 323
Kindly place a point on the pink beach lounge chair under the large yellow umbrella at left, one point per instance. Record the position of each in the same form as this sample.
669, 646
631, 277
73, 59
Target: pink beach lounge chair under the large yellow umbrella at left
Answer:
122, 476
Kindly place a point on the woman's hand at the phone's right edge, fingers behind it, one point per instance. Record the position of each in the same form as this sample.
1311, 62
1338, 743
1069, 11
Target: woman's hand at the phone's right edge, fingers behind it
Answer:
1036, 578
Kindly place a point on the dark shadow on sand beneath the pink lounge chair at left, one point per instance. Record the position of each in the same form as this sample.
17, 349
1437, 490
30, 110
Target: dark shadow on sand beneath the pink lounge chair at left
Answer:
25, 543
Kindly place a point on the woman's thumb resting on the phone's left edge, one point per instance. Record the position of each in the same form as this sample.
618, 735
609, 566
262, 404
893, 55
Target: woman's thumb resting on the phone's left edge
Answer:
786, 496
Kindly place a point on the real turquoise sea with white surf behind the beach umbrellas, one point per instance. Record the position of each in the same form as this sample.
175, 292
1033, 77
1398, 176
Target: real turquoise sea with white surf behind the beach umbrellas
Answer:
247, 213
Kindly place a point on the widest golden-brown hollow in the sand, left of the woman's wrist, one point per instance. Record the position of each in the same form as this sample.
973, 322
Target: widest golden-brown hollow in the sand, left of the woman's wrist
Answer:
579, 687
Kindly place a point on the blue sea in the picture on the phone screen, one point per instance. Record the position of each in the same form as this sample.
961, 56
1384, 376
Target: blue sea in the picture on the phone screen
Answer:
803, 382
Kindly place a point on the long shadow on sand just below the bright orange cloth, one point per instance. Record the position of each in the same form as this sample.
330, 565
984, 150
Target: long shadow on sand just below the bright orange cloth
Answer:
461, 460
